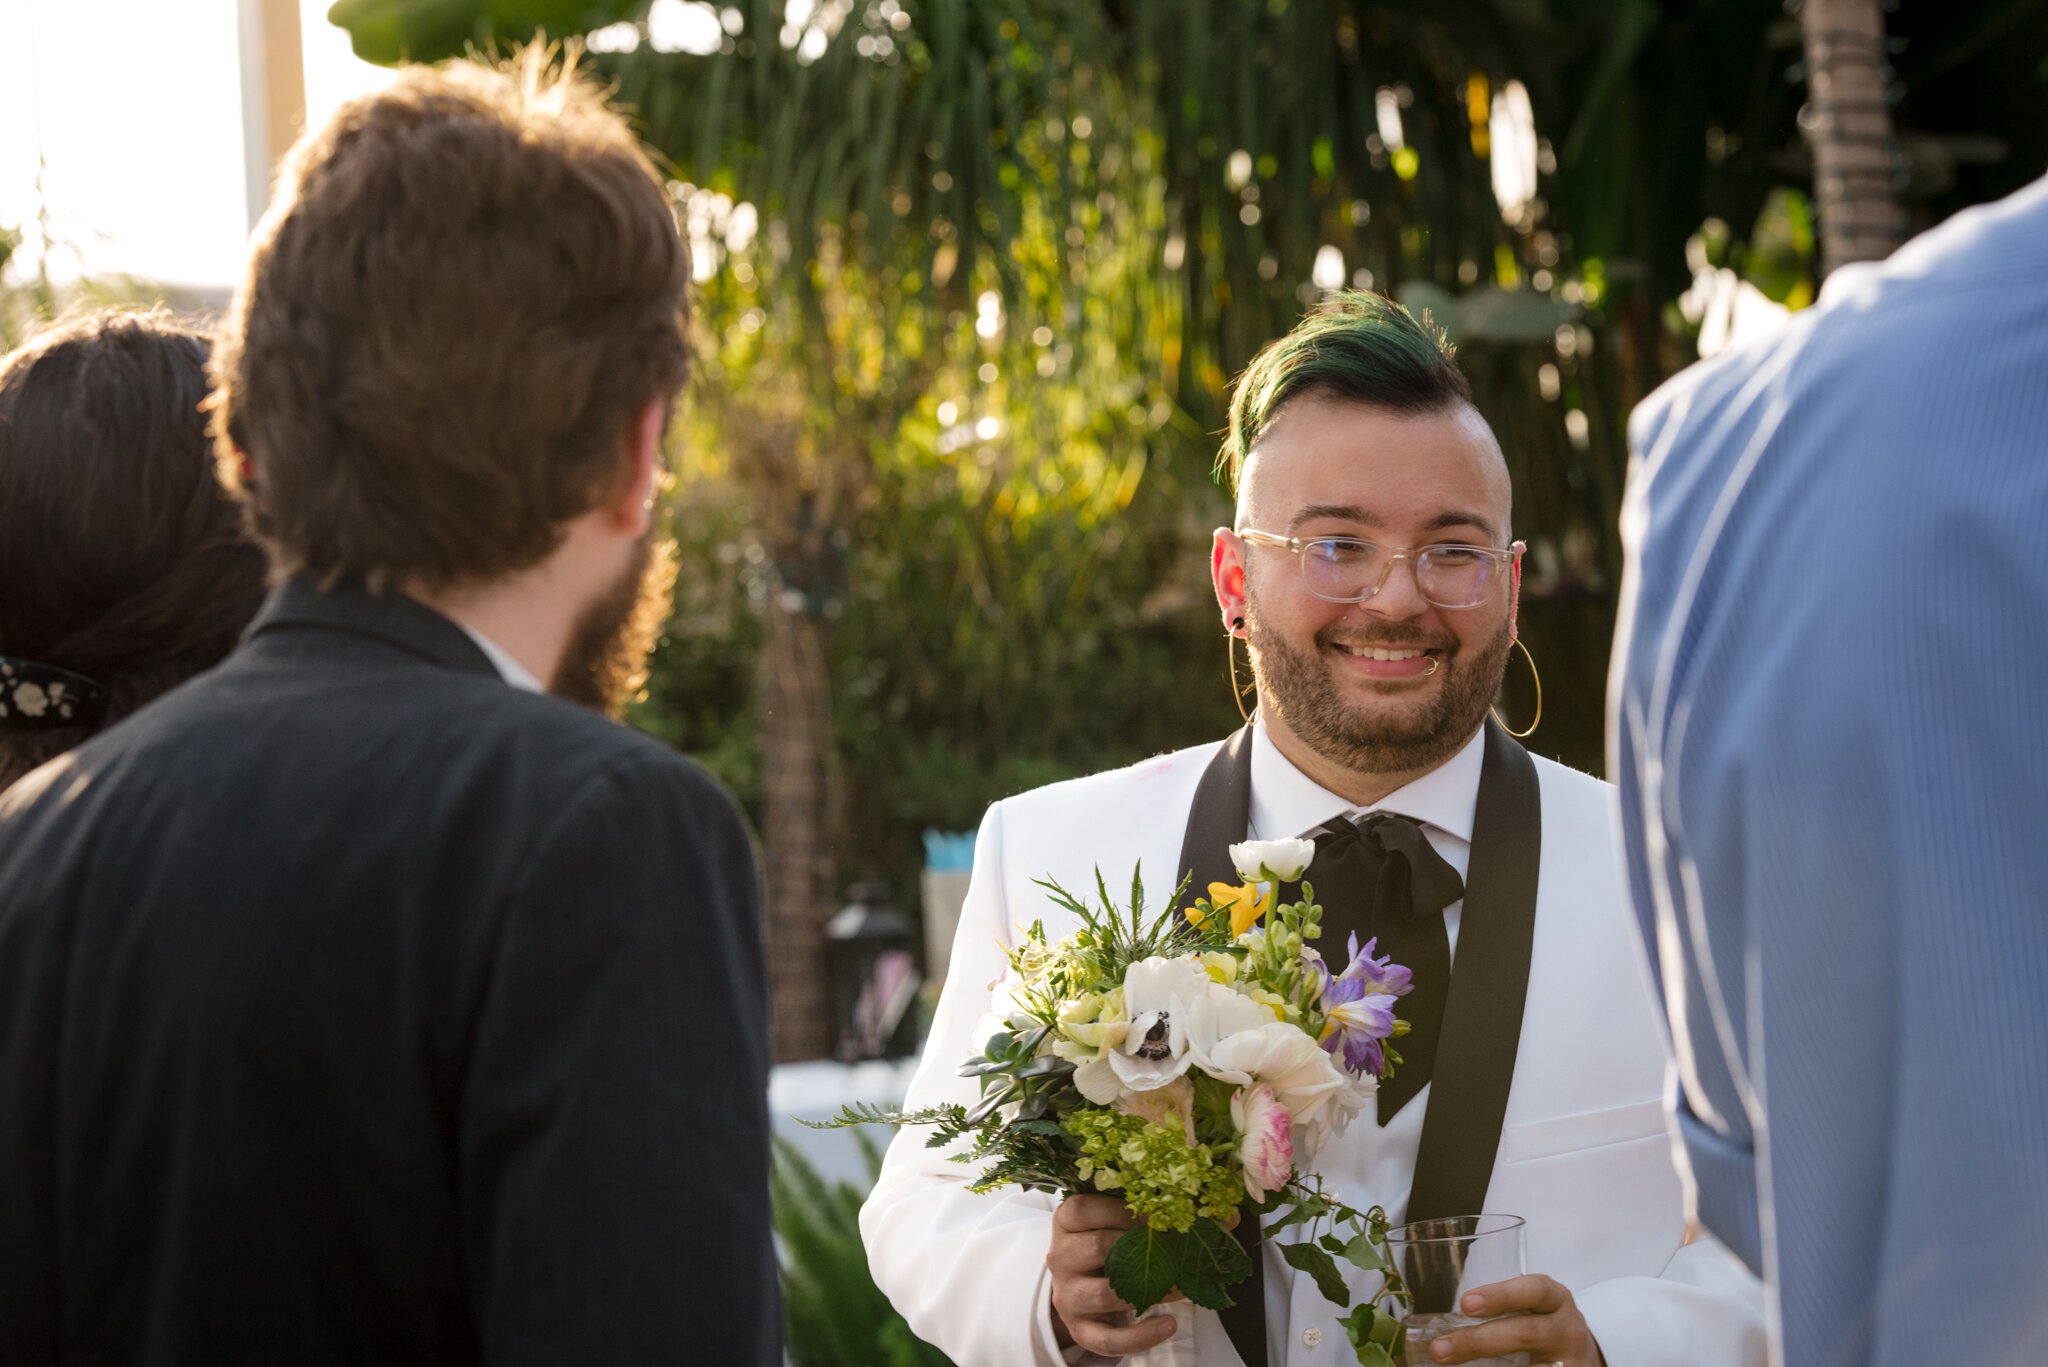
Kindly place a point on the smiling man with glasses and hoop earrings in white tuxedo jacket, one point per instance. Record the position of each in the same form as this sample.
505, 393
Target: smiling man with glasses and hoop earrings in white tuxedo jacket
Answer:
1375, 587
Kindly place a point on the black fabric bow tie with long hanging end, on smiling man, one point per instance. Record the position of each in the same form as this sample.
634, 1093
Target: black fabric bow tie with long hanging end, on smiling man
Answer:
1379, 878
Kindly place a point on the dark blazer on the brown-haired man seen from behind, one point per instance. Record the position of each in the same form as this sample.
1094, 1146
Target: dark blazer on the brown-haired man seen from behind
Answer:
357, 1007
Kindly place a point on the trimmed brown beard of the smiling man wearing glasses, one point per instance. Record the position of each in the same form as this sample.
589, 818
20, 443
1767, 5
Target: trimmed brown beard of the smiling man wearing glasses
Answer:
1357, 735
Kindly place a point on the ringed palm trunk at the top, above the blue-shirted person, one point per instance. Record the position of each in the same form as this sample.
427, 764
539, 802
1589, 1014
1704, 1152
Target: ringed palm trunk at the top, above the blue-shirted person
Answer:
1850, 128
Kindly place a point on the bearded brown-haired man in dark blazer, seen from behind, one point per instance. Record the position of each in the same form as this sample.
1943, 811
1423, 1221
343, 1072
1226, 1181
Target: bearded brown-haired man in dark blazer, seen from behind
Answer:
359, 1003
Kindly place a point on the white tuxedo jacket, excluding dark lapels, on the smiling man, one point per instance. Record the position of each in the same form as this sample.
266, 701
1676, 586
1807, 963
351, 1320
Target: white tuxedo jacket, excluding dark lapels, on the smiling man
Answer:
1586, 1157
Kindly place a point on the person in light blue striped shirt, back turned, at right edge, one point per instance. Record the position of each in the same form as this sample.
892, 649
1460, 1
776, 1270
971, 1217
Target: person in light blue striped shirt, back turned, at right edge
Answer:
1830, 729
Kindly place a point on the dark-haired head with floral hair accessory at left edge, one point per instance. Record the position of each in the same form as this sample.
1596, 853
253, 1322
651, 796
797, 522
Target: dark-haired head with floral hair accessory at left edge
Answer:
124, 565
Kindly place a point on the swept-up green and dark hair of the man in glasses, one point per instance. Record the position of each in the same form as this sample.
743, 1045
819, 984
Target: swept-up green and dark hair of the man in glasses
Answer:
1357, 347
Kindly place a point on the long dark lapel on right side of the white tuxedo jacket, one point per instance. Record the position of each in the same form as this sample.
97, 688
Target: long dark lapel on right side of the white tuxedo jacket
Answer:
1476, 1057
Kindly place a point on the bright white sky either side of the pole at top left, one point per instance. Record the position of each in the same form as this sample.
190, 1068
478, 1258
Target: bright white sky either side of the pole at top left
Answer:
134, 110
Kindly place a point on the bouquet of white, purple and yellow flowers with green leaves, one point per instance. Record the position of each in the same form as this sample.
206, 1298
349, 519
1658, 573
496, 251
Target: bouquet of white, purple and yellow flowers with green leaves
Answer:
1191, 1065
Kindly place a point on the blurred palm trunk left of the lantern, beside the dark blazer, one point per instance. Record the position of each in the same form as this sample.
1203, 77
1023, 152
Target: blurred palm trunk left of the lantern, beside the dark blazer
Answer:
796, 683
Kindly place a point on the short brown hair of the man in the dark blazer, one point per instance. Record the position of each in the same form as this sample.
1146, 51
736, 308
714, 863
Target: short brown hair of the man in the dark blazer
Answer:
466, 290
